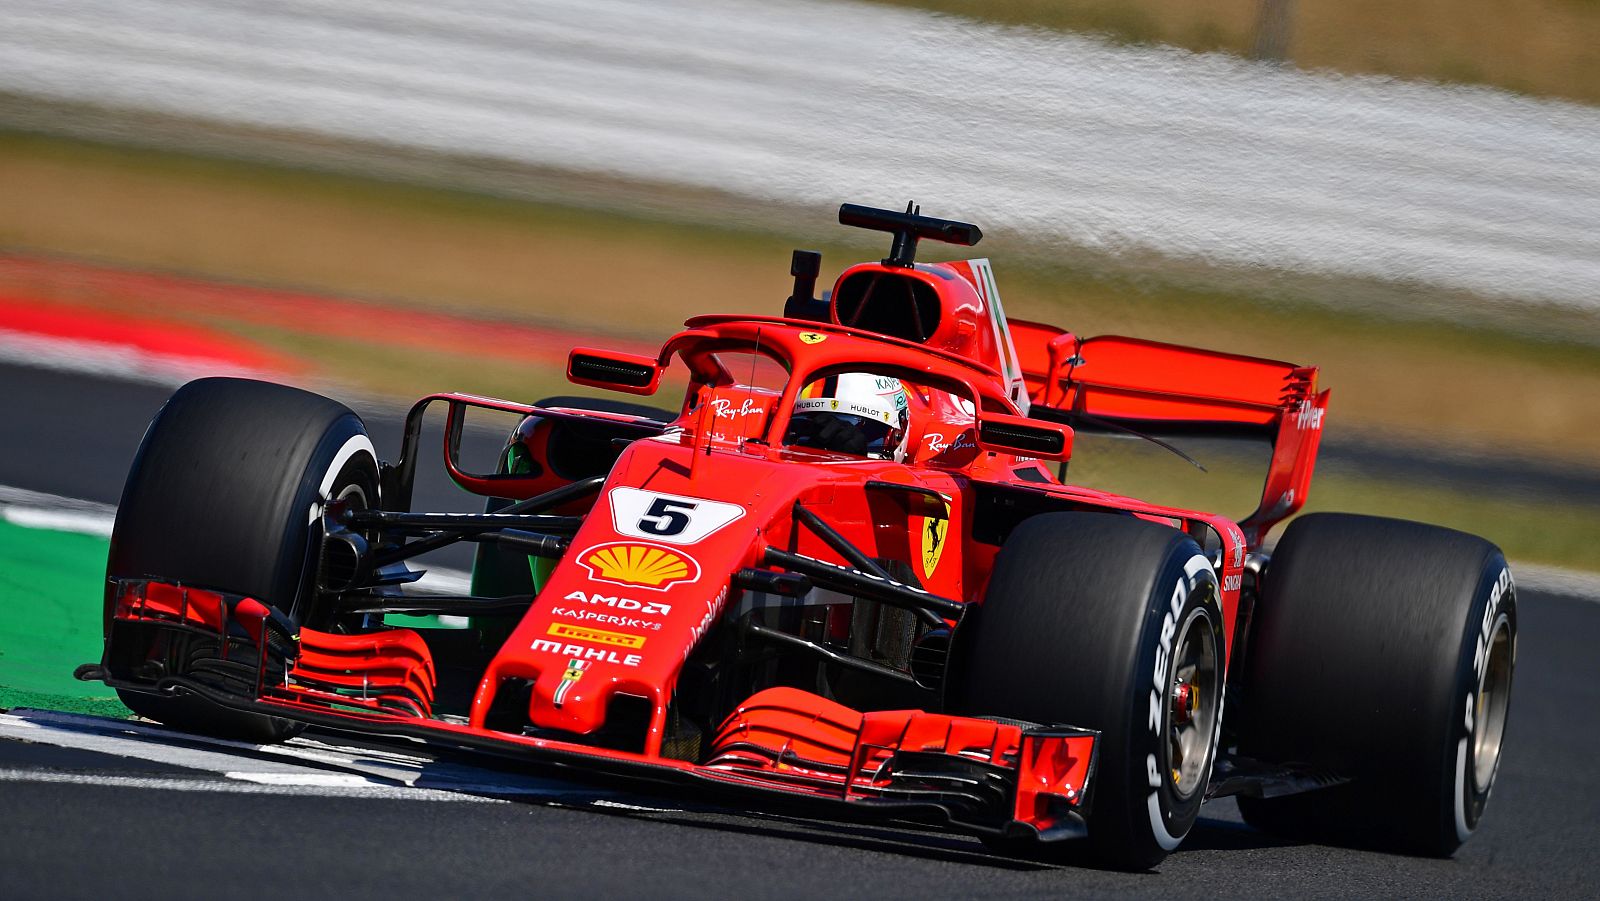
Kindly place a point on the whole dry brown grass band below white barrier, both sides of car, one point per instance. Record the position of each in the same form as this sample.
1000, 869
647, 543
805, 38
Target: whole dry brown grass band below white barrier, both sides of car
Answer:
492, 257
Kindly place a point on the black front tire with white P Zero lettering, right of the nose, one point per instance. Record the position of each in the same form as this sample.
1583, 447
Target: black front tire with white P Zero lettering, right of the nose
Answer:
1089, 622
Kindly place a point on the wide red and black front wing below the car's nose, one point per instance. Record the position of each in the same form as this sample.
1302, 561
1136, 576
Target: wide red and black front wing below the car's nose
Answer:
985, 777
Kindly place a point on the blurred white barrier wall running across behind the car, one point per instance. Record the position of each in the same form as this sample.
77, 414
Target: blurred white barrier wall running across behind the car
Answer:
1121, 150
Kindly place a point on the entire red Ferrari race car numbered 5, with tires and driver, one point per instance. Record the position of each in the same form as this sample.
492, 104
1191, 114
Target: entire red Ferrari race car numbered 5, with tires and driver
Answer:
846, 569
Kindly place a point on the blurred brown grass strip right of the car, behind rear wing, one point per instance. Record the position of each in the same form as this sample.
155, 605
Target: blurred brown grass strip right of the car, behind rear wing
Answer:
1412, 382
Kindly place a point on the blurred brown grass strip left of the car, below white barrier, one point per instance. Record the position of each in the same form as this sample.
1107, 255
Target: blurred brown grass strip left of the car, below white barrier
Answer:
372, 241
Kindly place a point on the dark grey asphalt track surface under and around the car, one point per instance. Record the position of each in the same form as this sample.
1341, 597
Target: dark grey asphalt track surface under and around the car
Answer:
105, 809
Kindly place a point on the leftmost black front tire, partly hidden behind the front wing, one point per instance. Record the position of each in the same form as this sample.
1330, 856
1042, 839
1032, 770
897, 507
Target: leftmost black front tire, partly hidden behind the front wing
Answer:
226, 492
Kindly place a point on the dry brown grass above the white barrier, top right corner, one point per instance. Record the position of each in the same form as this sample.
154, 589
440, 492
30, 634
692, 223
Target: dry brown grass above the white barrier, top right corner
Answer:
1537, 47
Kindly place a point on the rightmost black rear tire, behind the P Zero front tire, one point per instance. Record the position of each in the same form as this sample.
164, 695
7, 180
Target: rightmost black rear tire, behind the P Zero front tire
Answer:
1382, 651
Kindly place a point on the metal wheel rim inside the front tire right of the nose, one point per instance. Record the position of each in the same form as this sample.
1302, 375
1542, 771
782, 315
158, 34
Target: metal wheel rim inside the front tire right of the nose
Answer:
1194, 692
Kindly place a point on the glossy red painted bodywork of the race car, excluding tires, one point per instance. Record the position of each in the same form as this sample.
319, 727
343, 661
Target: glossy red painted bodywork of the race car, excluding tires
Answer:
631, 603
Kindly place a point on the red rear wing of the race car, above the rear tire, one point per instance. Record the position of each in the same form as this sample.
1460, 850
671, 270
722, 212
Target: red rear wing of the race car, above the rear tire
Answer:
1156, 388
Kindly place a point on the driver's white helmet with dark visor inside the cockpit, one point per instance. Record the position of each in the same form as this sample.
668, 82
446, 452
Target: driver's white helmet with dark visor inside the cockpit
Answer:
857, 414
